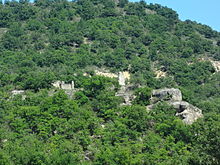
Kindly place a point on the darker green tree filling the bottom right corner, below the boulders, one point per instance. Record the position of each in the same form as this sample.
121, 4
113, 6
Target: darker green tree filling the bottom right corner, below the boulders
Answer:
206, 141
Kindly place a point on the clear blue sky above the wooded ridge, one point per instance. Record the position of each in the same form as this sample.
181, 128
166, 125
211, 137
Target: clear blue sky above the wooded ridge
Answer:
202, 11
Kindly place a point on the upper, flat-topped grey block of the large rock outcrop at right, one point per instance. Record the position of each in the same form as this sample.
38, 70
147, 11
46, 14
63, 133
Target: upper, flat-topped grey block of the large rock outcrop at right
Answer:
166, 95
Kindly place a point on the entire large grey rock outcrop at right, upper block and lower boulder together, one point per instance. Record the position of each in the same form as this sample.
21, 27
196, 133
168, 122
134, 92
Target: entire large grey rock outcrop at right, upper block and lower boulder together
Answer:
187, 112
